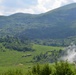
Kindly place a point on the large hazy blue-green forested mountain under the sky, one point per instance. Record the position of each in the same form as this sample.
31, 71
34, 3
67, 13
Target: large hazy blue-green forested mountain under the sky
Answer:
56, 24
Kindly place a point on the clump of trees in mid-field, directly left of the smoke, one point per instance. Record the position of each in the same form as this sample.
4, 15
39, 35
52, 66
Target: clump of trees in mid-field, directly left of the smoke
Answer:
49, 56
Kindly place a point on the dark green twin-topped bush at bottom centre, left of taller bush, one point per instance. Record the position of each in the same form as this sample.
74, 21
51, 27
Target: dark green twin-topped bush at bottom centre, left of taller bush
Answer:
45, 70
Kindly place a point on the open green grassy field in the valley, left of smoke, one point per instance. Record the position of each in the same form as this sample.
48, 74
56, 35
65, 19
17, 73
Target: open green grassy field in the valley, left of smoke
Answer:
10, 59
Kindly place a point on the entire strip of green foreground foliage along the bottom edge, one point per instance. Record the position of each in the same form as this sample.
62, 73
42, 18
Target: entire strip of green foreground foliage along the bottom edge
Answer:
59, 68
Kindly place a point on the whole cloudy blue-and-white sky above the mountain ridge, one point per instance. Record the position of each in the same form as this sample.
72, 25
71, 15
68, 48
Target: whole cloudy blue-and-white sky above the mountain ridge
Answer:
8, 7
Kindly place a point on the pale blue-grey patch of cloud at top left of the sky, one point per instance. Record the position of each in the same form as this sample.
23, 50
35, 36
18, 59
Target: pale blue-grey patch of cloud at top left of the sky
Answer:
18, 3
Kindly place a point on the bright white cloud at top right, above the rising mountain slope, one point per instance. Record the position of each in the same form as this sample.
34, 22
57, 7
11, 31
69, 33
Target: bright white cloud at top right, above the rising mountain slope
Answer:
47, 5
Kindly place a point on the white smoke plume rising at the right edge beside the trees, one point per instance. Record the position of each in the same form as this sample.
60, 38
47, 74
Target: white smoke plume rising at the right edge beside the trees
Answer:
70, 53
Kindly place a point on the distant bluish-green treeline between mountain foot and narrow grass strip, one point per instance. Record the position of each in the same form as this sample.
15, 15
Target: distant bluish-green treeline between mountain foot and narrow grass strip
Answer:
56, 42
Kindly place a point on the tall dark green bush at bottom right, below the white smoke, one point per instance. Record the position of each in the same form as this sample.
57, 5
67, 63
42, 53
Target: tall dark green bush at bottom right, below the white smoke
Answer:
63, 68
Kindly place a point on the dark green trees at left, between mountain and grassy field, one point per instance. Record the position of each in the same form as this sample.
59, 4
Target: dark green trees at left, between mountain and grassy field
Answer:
14, 43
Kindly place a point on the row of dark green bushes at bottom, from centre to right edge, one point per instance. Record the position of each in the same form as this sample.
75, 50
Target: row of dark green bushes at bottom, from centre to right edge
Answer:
61, 68
